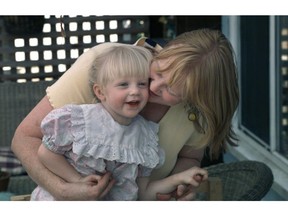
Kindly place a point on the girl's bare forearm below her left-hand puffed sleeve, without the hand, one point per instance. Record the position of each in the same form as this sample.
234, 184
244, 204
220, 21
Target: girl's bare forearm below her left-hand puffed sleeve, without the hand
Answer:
58, 165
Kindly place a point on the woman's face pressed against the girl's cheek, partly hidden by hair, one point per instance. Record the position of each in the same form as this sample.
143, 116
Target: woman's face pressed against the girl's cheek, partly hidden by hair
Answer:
160, 92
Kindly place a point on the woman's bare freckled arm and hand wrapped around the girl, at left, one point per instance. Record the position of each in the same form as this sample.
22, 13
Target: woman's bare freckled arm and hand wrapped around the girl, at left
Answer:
25, 144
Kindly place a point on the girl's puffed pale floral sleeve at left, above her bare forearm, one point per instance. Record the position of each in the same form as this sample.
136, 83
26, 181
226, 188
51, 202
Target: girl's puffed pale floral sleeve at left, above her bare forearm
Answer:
56, 129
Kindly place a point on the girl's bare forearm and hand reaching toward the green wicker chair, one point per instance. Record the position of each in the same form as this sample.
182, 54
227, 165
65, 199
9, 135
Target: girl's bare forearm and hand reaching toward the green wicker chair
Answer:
148, 189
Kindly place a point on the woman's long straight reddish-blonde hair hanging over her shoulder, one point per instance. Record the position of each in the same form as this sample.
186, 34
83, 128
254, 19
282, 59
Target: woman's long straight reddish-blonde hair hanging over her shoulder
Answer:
202, 61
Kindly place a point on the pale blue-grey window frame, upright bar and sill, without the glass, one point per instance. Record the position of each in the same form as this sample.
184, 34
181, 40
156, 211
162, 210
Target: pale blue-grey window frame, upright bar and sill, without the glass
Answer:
249, 148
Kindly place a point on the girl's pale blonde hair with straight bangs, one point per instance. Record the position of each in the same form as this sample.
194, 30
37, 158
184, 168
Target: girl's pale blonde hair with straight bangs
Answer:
120, 61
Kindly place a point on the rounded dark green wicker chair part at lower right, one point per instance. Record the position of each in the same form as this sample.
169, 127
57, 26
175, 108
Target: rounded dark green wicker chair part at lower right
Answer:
243, 180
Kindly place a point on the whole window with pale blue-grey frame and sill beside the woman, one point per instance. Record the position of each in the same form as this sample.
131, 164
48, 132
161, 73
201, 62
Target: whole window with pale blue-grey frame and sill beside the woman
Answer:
261, 47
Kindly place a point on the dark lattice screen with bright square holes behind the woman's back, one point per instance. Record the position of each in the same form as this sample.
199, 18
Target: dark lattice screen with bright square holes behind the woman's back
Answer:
28, 55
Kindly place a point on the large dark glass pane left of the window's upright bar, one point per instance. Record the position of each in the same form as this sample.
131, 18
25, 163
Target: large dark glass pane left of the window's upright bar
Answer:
254, 101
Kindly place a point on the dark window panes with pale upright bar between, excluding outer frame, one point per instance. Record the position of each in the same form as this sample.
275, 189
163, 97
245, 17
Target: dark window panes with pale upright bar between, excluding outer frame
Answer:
264, 82
